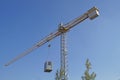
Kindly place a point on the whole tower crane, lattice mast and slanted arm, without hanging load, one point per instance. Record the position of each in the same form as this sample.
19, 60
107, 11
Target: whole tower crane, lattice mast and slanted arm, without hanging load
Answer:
61, 31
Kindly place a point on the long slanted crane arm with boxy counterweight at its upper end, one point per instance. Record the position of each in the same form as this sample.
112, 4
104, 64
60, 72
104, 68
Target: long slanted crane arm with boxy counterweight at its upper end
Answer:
91, 14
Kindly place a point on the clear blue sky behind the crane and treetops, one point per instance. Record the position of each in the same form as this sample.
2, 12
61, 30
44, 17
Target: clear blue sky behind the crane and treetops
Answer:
25, 22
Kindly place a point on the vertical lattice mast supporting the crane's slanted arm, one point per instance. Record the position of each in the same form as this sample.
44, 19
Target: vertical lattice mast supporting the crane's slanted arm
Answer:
63, 54
